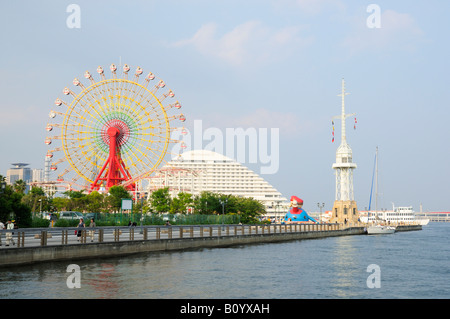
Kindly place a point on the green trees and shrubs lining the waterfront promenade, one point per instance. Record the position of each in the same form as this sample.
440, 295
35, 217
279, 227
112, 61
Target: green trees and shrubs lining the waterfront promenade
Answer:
184, 209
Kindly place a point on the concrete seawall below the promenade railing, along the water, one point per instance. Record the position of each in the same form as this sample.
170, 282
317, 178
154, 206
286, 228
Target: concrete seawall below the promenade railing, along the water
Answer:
30, 255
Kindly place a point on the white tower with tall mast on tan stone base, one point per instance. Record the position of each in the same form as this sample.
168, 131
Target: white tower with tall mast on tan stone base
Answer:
344, 208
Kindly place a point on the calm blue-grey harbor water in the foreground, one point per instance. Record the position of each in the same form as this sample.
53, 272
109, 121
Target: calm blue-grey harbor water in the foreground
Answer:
412, 265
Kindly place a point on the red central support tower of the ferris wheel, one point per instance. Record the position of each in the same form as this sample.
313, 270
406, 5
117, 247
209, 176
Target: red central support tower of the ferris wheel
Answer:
114, 171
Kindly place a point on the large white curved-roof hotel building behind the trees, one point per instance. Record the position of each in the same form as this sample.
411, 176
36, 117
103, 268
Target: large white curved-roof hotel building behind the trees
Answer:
202, 170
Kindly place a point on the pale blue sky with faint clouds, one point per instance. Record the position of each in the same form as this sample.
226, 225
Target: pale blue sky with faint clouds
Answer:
262, 64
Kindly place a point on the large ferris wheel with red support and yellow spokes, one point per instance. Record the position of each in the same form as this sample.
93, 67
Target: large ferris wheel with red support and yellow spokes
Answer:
113, 131
